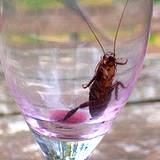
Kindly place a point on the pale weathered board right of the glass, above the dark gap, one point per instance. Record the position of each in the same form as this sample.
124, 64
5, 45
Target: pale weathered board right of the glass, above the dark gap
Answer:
147, 87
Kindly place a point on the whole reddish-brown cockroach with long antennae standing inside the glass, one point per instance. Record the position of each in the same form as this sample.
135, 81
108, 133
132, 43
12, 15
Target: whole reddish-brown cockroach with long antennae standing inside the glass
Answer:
101, 85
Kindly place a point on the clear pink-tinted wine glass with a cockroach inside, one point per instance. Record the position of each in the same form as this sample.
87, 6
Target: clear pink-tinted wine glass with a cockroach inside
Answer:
71, 66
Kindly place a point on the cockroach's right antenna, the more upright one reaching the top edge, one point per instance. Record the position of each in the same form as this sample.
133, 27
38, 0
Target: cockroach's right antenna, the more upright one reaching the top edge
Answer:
119, 24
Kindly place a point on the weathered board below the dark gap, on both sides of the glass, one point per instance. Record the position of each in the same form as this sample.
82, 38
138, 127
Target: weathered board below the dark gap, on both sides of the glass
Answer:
134, 136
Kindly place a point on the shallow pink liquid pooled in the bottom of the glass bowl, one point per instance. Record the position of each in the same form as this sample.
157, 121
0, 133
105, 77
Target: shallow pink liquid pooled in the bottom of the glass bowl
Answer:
77, 127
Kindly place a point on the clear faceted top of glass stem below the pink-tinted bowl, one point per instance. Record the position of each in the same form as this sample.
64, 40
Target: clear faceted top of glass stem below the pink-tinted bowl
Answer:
61, 149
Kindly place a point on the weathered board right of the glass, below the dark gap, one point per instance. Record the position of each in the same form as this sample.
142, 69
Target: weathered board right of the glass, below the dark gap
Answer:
134, 135
